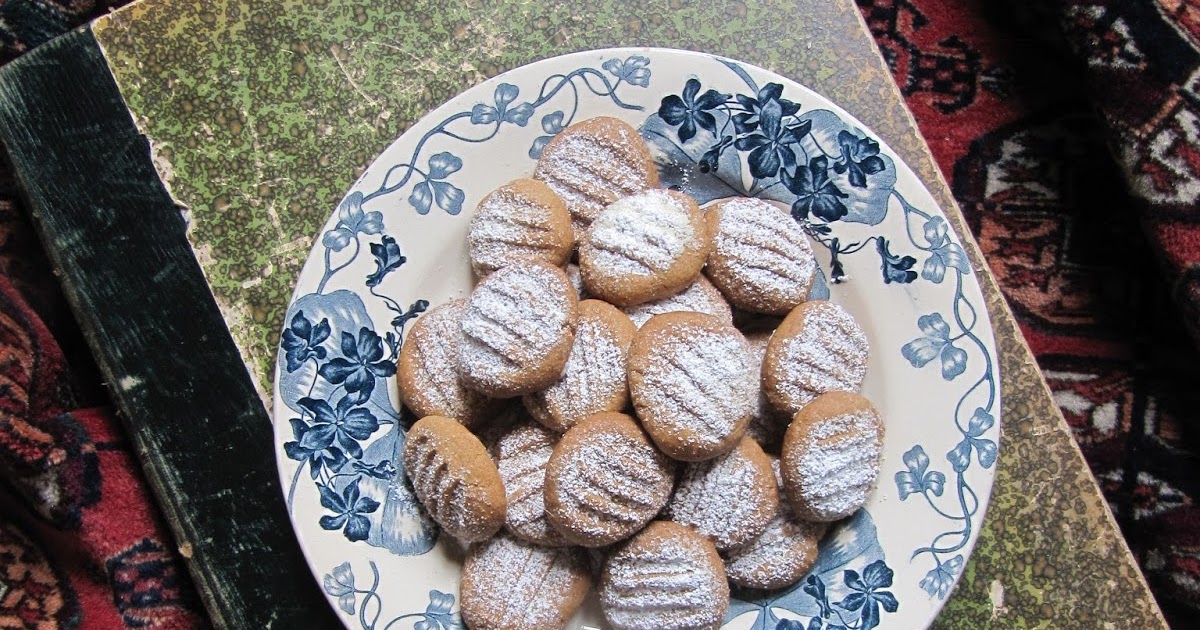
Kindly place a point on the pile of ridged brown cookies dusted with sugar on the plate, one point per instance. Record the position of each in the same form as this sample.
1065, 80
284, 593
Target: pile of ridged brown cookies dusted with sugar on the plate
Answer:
659, 452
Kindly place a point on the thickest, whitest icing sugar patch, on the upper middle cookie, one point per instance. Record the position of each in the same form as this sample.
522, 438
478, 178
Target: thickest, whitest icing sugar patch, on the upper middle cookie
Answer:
644, 235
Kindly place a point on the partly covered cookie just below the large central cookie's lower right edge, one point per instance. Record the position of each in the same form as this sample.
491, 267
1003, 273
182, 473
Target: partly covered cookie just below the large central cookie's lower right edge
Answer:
728, 500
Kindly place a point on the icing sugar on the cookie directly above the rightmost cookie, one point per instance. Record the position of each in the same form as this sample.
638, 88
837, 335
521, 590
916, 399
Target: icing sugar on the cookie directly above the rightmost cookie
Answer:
829, 353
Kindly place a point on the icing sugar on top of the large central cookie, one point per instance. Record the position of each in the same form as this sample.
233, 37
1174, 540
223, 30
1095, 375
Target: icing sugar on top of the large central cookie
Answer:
703, 381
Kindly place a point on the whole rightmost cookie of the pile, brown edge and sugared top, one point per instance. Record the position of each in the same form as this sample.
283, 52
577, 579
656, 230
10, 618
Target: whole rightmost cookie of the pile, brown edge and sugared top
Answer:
832, 455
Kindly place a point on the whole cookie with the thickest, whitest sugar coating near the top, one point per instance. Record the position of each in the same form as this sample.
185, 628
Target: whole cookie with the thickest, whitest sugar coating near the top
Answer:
645, 248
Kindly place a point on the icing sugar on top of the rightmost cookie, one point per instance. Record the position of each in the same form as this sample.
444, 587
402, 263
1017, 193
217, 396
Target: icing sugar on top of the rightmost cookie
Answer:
837, 465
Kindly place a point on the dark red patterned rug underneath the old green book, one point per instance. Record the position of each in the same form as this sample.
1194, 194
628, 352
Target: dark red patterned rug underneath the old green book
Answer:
1070, 135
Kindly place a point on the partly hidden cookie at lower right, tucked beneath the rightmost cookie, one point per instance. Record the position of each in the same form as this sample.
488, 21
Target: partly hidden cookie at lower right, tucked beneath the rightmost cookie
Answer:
782, 556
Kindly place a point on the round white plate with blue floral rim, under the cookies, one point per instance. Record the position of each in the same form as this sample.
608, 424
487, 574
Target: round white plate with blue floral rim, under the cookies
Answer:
397, 245
